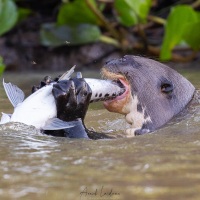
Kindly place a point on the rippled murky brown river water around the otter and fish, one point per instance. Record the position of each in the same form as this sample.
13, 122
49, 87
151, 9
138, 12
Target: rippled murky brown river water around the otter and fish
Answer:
162, 165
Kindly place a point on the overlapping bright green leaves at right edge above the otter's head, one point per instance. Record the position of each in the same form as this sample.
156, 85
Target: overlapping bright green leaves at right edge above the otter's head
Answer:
182, 25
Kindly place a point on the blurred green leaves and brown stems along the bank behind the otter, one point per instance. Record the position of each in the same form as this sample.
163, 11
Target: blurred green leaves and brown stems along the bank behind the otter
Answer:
166, 29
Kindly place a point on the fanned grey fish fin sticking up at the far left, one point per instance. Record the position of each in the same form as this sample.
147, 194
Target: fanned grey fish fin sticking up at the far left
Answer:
15, 94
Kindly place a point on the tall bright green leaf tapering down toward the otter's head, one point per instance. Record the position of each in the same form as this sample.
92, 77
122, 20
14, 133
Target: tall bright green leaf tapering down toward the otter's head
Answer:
179, 18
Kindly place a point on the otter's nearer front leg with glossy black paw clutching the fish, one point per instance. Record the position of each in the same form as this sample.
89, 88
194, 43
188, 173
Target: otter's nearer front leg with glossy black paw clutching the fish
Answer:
72, 100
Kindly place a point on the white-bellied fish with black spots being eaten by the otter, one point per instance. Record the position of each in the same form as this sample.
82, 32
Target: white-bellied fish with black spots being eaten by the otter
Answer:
39, 109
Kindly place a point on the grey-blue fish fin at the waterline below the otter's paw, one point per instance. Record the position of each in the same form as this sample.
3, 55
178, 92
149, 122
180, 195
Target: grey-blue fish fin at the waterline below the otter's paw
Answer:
57, 124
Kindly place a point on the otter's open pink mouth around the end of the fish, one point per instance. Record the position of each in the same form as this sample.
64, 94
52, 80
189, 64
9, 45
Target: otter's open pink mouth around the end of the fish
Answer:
121, 81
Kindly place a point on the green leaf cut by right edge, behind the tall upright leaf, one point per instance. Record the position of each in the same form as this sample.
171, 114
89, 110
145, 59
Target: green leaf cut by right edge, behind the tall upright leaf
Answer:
192, 35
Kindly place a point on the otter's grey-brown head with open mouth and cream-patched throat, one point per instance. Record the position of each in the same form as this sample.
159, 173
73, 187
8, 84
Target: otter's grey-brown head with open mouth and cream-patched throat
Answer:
154, 93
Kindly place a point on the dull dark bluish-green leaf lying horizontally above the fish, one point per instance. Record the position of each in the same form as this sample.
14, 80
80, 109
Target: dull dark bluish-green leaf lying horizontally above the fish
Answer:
53, 35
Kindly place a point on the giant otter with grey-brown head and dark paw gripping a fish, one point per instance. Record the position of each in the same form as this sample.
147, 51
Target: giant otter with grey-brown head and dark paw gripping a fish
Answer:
154, 94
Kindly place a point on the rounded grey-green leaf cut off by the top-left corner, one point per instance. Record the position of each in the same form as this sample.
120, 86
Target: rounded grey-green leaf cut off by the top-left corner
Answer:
8, 15
